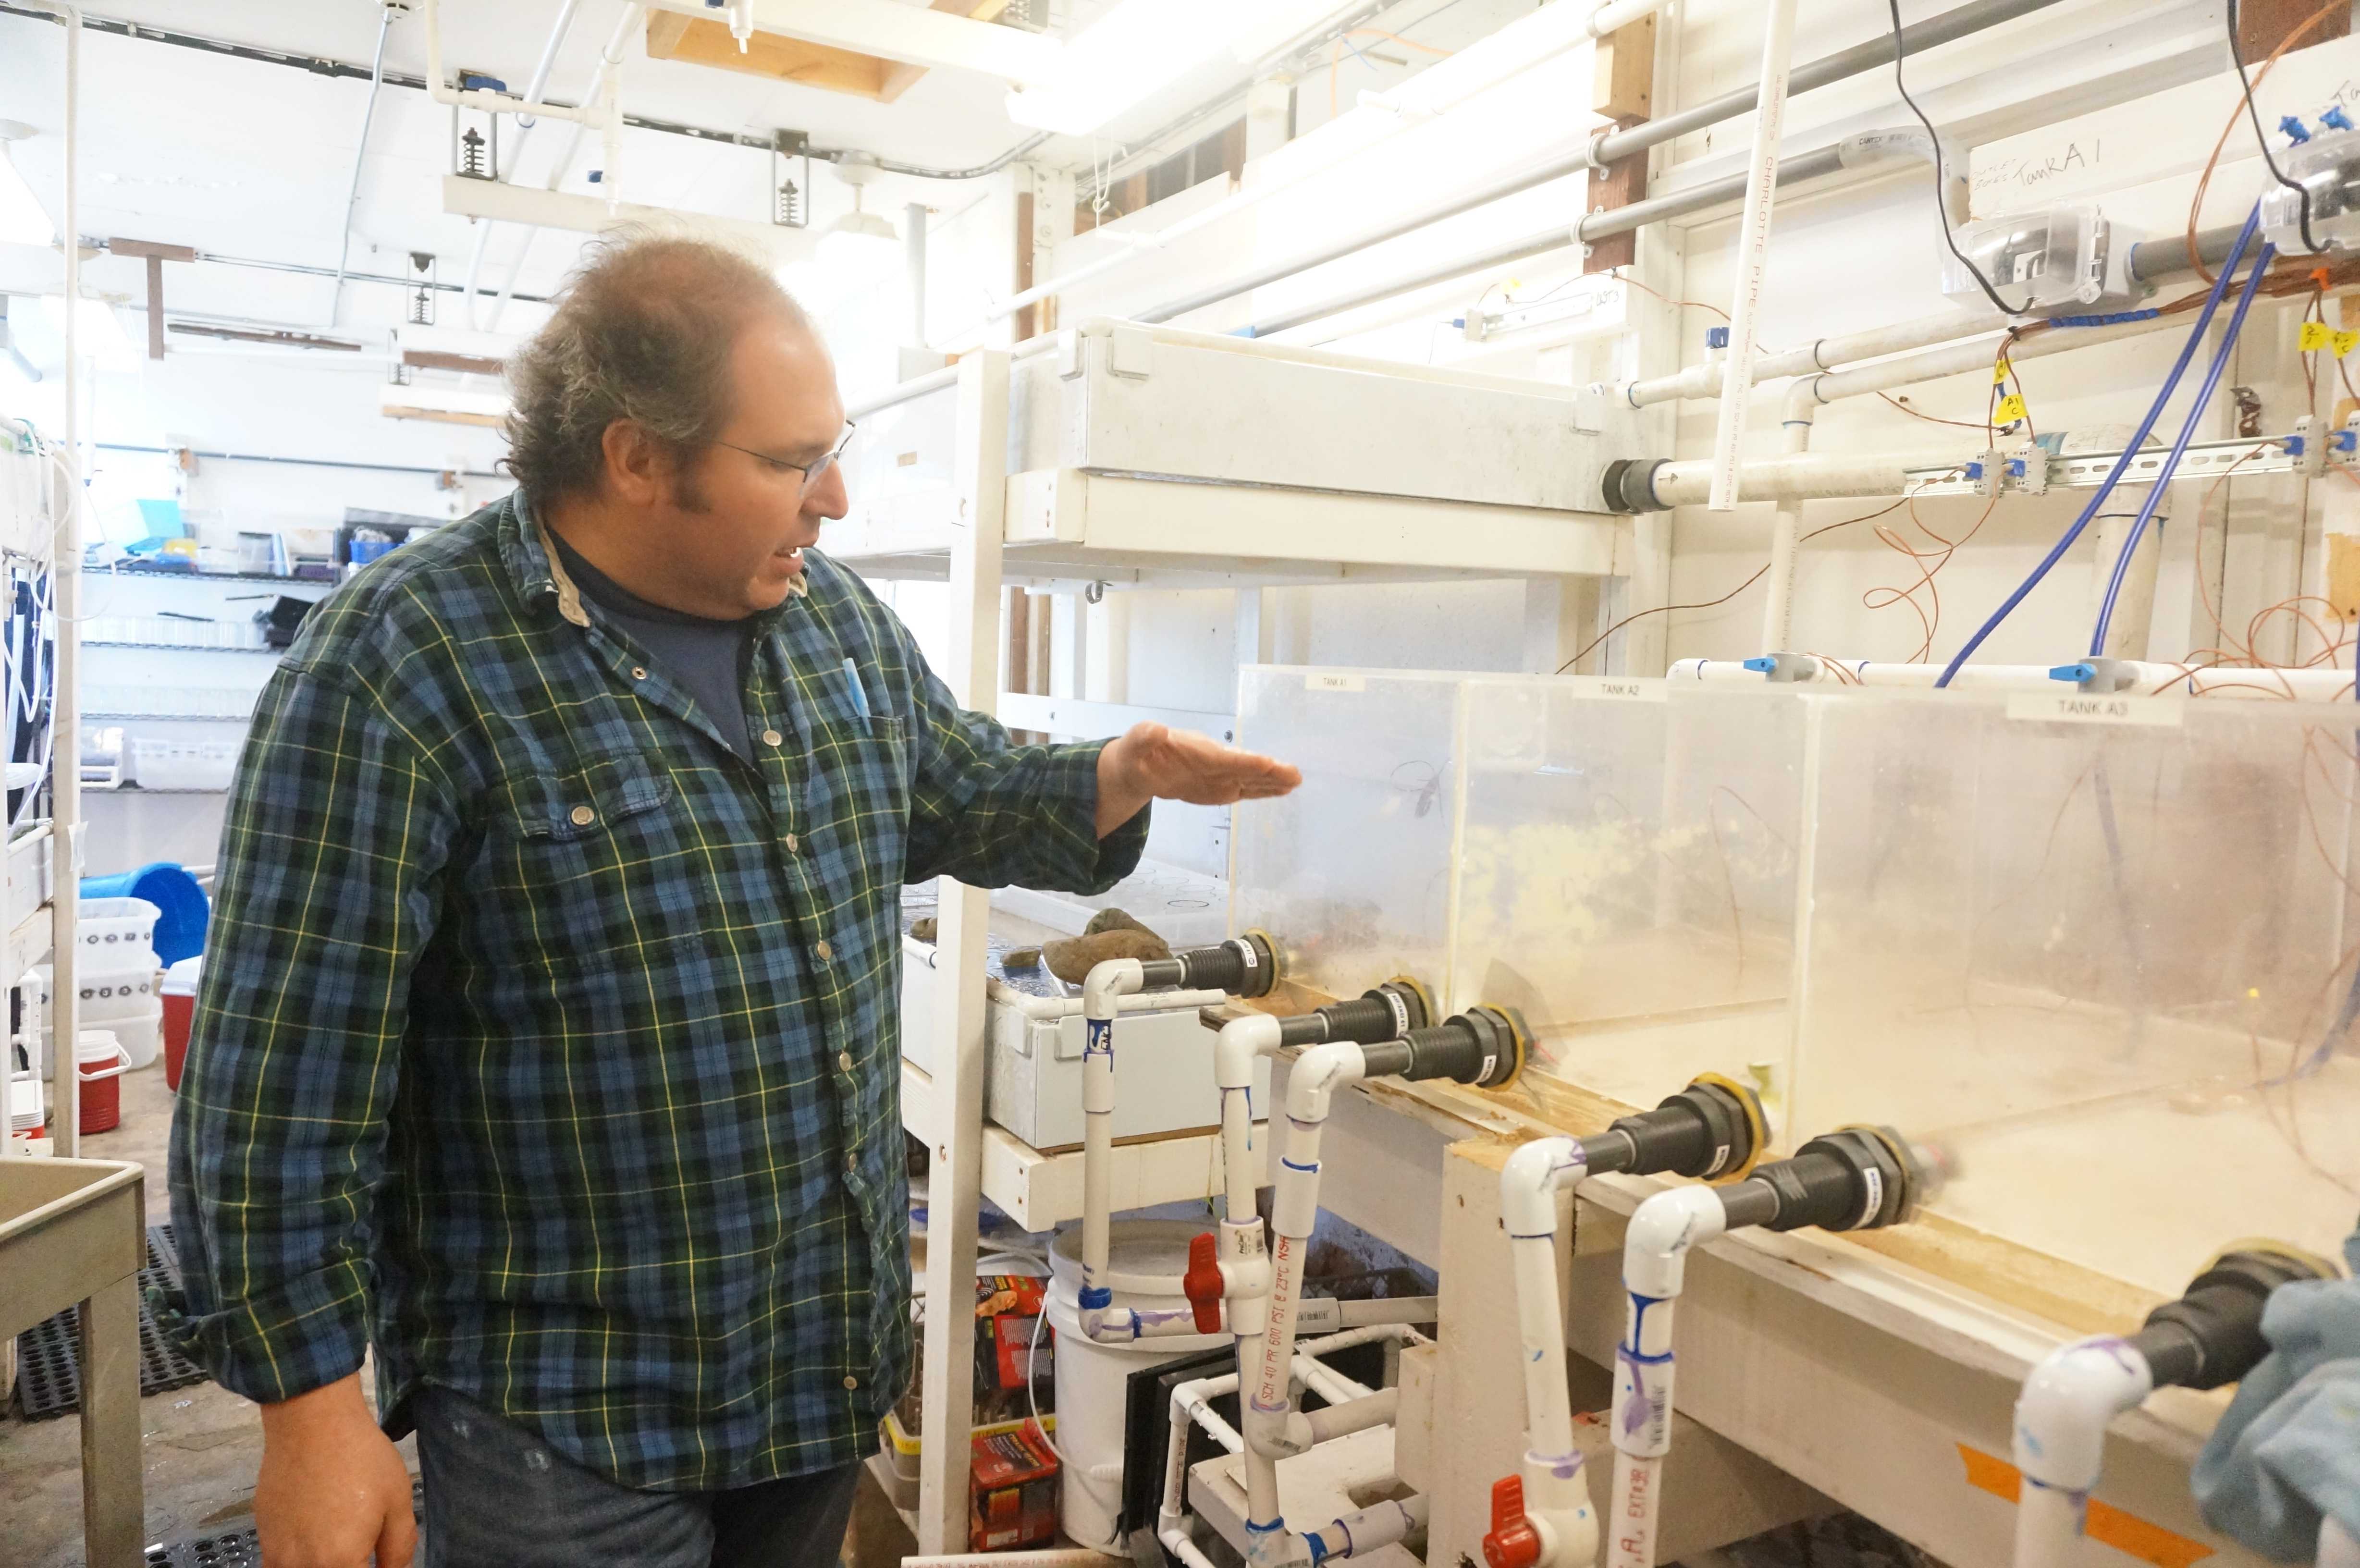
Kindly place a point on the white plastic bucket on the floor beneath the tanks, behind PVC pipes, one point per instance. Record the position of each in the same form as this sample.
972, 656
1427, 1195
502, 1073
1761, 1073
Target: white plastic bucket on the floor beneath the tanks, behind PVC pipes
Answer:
1146, 1262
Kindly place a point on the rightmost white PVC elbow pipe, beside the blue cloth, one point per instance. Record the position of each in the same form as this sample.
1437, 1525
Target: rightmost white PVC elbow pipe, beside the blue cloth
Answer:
2061, 1420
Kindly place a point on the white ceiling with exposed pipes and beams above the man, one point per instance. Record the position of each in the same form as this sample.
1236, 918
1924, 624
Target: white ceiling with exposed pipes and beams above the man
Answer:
249, 159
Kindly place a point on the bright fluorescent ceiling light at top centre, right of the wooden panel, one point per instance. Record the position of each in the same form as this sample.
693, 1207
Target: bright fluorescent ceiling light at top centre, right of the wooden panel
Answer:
1146, 46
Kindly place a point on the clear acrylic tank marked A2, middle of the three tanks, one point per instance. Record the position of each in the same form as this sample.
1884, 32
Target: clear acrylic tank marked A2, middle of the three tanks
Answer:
1627, 880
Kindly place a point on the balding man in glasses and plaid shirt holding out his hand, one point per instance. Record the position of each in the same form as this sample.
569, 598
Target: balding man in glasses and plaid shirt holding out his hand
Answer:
549, 1028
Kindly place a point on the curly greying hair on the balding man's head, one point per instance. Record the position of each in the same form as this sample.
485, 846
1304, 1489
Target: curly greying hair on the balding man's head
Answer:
643, 332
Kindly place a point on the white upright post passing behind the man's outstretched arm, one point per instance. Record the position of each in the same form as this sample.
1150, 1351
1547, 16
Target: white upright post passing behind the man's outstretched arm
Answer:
957, 1052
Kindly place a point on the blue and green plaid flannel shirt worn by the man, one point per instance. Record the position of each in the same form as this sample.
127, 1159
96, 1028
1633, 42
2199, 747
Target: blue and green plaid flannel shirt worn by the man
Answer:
551, 1047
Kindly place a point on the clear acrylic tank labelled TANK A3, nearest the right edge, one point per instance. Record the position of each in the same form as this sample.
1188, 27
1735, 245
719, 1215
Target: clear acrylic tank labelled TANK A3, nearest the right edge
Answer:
2106, 960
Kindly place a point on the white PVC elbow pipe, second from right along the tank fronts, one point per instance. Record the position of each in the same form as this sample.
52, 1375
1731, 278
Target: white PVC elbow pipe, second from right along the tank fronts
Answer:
1656, 1267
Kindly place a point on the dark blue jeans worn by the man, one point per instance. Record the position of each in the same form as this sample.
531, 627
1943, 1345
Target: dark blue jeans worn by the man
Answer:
501, 1498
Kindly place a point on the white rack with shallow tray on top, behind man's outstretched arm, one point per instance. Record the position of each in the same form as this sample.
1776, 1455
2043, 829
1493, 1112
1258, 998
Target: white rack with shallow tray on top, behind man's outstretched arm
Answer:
1139, 457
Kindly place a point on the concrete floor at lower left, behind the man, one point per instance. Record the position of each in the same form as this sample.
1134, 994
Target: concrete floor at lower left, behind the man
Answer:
202, 1444
